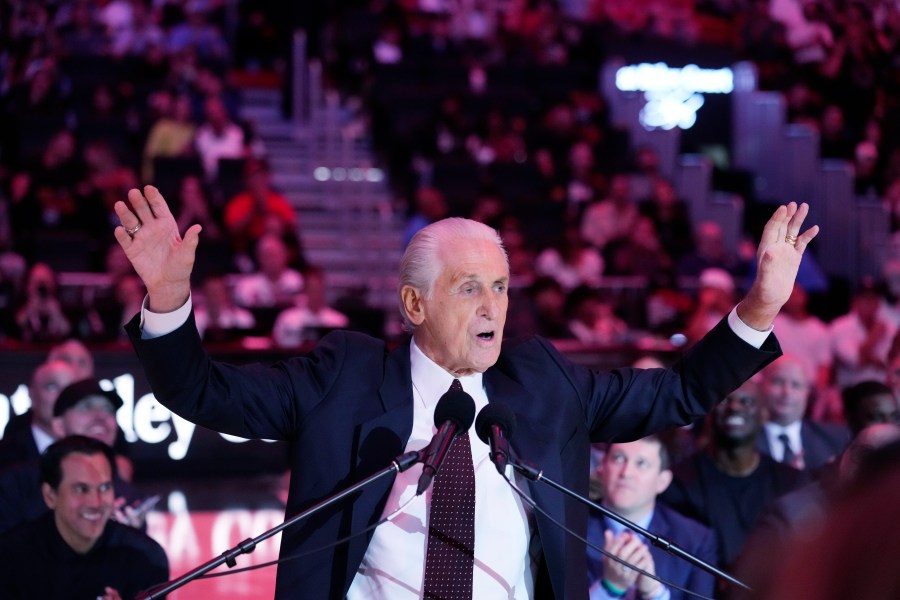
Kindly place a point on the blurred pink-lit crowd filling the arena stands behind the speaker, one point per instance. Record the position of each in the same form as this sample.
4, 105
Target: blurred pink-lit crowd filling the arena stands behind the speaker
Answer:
484, 109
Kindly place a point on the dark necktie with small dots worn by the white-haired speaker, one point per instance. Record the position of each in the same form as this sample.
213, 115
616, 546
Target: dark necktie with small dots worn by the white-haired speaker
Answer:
450, 557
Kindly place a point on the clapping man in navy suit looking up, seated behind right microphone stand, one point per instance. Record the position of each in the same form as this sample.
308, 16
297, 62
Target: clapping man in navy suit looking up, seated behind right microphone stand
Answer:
632, 475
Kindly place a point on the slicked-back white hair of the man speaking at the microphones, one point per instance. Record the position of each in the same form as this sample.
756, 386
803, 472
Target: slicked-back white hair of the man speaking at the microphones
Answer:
422, 264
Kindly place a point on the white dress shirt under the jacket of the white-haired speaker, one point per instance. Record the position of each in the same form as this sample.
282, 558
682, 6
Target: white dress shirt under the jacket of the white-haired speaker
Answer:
393, 566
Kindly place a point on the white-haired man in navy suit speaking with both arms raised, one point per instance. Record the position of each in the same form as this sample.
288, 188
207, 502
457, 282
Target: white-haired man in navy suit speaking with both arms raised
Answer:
352, 405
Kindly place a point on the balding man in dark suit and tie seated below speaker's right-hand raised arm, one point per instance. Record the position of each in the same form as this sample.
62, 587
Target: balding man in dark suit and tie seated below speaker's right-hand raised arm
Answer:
788, 436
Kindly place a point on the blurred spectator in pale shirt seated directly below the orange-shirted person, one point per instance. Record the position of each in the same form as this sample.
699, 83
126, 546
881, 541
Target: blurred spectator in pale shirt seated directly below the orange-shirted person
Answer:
276, 284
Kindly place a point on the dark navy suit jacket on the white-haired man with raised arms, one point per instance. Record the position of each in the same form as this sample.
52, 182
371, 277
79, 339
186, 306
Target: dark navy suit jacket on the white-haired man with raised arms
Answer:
346, 409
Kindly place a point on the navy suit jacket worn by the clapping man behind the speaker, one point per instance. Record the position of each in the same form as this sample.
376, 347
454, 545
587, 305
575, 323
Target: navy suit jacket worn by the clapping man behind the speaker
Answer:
689, 535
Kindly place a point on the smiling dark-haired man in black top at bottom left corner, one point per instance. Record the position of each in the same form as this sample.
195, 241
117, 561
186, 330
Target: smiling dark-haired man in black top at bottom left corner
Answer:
75, 550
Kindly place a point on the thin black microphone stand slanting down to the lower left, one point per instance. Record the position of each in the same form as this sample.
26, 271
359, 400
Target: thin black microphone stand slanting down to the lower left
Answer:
398, 465
